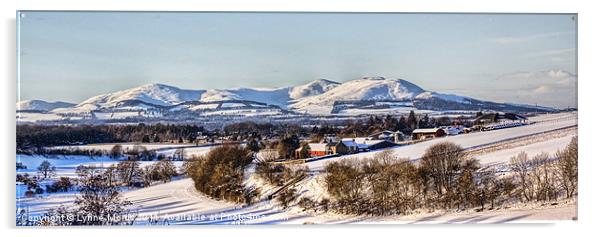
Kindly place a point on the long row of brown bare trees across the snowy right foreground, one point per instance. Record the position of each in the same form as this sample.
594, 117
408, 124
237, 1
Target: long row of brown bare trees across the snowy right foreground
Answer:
447, 178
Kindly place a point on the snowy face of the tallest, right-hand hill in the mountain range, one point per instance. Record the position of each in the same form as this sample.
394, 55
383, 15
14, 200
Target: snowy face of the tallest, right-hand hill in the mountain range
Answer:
367, 88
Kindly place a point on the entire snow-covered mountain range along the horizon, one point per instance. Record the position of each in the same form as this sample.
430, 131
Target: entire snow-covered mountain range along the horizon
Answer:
367, 95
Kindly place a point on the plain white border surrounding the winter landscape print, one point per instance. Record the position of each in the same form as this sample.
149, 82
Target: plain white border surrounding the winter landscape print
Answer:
589, 111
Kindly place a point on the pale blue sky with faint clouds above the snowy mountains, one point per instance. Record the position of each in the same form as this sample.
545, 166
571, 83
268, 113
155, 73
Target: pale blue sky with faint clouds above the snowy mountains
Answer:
70, 56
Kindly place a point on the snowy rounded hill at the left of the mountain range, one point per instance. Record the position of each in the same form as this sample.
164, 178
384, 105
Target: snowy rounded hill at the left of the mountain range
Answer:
156, 94
